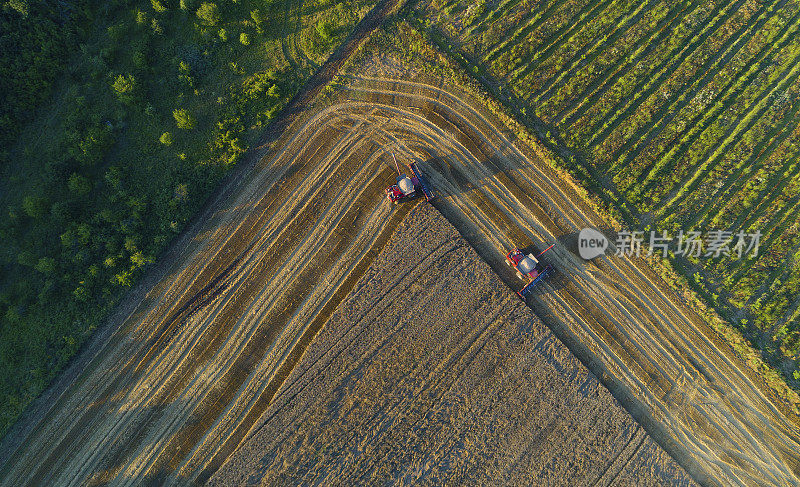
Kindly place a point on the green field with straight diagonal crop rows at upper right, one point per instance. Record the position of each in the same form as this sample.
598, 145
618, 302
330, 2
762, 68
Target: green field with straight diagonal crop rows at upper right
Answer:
683, 115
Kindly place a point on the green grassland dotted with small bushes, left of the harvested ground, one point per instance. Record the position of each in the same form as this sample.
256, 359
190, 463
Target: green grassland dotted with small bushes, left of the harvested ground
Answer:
157, 102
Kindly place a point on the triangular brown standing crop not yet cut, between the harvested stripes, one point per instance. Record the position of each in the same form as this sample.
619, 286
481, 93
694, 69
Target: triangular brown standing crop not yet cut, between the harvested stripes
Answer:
432, 373
